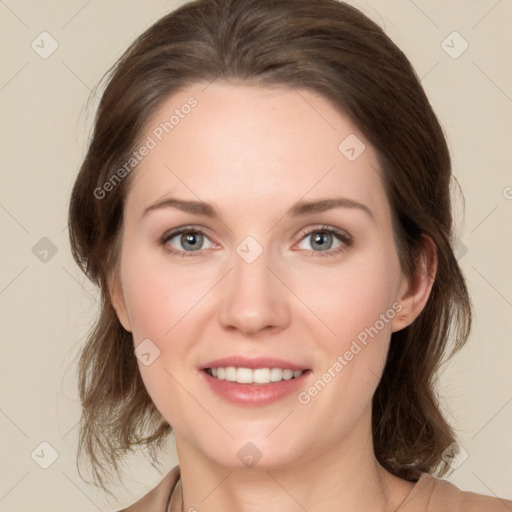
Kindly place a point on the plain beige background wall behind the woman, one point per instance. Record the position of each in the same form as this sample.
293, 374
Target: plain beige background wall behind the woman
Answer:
47, 306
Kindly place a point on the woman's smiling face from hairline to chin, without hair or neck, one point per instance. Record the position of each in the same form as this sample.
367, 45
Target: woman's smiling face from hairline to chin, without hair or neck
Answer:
268, 276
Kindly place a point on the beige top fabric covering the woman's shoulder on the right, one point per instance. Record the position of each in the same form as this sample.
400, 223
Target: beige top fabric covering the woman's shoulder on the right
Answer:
433, 494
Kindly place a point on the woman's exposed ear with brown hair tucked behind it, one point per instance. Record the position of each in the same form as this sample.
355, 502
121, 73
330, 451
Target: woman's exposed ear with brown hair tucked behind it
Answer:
414, 293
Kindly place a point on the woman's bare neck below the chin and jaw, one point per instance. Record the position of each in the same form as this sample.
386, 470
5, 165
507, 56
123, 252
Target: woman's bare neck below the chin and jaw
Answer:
346, 477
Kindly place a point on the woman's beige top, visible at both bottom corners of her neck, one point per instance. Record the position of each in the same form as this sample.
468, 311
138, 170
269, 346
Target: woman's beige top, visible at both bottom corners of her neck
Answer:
430, 494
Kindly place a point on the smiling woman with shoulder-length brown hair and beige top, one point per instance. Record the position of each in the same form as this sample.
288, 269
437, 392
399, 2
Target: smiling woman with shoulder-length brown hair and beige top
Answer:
265, 206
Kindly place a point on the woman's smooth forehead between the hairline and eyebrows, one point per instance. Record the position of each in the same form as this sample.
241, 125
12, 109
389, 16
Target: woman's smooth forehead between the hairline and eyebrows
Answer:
249, 146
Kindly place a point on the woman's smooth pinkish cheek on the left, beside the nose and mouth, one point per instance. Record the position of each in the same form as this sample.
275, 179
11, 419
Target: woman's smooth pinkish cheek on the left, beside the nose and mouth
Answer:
160, 301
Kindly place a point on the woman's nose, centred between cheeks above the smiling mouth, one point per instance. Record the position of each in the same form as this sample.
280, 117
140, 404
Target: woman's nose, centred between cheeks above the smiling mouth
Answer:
254, 298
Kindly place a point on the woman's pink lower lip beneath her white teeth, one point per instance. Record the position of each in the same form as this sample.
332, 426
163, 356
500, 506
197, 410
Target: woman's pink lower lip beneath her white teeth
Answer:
255, 395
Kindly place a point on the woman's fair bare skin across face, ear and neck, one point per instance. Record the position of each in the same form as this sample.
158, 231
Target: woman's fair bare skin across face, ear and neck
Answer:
253, 153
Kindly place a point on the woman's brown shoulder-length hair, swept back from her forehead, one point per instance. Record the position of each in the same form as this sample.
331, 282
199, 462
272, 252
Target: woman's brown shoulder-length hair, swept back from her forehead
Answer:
330, 48
